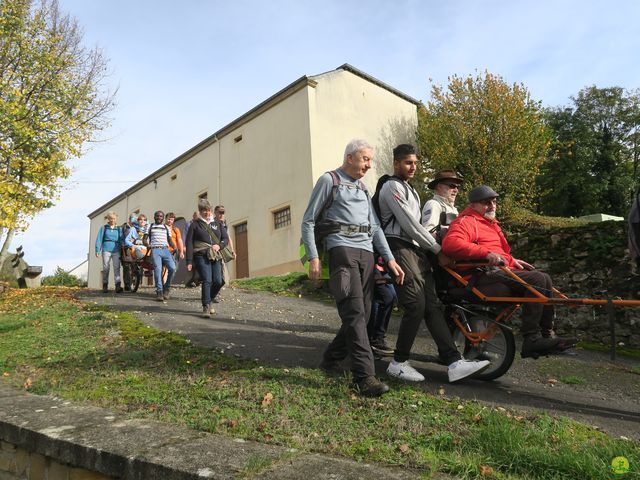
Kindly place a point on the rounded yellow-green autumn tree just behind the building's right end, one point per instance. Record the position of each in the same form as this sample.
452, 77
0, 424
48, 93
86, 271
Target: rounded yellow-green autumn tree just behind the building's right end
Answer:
491, 132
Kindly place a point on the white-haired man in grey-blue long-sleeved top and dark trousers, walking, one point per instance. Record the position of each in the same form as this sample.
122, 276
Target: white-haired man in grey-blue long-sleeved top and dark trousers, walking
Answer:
341, 206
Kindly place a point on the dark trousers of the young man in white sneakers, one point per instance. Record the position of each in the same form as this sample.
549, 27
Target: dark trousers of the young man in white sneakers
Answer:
419, 300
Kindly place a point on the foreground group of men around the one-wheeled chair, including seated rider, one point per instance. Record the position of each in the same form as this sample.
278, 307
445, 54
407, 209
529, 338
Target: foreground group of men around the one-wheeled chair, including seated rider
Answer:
355, 229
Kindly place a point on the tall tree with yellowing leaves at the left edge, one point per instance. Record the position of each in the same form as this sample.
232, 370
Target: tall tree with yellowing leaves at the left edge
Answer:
52, 101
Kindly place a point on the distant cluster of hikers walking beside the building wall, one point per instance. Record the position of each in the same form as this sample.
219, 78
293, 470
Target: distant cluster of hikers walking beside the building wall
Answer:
205, 244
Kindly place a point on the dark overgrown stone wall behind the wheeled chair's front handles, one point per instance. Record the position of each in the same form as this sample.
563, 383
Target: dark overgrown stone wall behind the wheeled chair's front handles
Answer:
592, 261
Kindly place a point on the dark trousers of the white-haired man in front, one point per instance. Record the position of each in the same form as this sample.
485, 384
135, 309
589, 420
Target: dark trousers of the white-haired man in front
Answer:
351, 283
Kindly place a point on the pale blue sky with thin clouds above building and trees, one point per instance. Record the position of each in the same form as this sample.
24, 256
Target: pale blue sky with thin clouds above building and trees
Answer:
185, 69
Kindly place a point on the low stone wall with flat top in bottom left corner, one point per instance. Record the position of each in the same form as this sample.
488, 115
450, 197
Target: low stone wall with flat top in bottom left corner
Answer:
45, 438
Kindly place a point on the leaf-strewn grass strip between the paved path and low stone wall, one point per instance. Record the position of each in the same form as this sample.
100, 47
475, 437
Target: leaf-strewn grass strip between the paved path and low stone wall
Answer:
51, 343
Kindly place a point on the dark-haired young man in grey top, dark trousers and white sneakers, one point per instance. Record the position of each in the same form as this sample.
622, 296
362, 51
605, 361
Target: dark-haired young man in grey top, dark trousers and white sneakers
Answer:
409, 242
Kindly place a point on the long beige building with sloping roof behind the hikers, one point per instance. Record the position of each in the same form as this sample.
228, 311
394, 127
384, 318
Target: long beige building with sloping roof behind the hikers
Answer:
263, 165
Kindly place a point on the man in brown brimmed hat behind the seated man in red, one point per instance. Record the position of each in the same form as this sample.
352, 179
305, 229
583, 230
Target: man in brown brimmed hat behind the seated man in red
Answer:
441, 209
